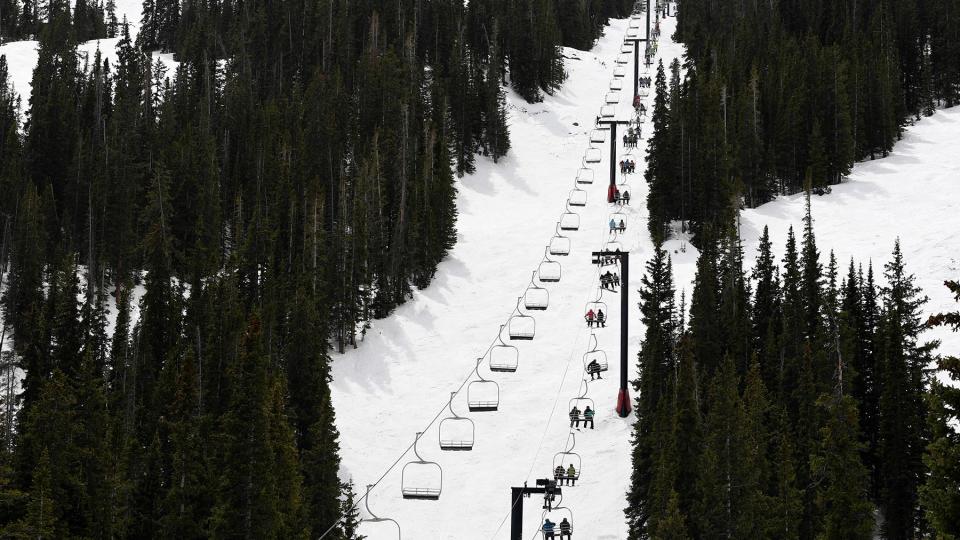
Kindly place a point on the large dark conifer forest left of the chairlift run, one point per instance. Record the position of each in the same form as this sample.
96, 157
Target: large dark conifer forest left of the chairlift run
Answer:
182, 249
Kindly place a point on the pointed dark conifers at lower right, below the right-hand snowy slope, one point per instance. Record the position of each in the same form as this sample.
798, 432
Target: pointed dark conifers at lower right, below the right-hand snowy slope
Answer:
796, 401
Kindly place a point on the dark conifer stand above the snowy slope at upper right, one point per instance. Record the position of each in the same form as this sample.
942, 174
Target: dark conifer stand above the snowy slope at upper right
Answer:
775, 95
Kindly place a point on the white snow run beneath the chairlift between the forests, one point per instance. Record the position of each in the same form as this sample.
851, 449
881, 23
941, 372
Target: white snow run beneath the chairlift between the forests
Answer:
402, 373
